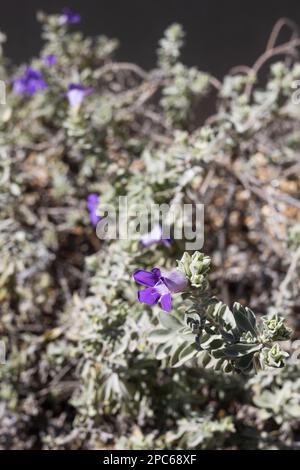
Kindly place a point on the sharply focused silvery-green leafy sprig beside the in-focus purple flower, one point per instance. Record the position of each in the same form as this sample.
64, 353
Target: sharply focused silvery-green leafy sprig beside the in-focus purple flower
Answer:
215, 335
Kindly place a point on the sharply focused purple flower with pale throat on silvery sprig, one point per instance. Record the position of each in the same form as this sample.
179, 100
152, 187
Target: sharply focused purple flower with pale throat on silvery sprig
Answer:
159, 286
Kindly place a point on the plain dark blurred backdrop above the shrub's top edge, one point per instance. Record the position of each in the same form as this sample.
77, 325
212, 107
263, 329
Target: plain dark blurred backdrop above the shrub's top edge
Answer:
220, 34
